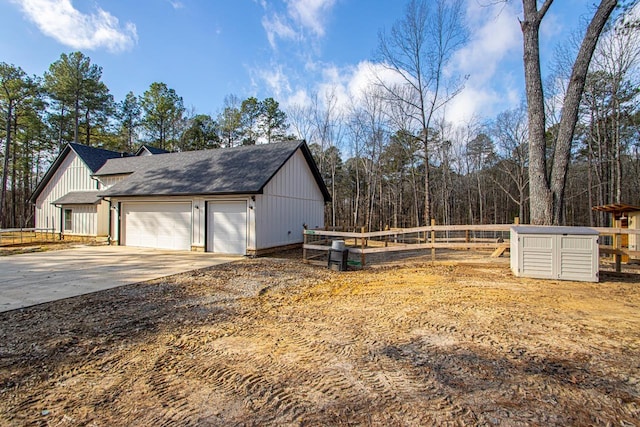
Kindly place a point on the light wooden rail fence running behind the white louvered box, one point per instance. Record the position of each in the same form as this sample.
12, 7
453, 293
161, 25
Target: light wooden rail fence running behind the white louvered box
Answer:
488, 237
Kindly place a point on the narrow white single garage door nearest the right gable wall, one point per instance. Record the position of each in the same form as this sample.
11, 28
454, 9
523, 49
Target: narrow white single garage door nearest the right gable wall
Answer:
227, 227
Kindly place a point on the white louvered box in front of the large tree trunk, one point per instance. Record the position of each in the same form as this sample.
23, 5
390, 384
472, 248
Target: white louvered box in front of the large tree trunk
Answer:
564, 253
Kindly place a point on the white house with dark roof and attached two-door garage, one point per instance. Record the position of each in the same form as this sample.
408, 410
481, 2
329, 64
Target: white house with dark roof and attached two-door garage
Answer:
242, 200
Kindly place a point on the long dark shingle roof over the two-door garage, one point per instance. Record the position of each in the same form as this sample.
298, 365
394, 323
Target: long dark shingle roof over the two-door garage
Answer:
240, 170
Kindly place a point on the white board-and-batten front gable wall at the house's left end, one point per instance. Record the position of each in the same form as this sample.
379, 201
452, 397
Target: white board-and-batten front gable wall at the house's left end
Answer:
72, 175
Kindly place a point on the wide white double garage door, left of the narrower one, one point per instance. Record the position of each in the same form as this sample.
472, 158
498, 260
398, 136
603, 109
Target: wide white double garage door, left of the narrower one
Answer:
157, 225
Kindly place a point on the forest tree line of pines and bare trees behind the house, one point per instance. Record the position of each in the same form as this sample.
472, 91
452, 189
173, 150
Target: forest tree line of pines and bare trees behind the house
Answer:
389, 156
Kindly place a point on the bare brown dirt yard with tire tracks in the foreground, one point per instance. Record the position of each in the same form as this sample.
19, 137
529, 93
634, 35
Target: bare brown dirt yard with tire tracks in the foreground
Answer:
271, 341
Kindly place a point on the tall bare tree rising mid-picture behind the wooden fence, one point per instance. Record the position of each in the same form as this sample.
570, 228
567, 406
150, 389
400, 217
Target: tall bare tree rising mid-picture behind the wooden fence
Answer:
417, 49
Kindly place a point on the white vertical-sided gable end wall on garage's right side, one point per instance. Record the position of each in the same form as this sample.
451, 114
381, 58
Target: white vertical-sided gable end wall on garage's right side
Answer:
290, 199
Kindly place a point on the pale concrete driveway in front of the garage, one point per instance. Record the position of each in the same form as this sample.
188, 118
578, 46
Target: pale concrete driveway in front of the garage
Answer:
35, 278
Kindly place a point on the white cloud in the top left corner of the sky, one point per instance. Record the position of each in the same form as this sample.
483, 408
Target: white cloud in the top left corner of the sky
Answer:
60, 20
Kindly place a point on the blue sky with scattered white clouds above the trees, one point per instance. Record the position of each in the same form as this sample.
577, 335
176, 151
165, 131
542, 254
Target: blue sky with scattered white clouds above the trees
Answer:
286, 49
